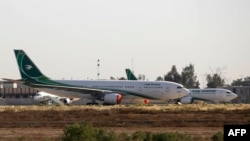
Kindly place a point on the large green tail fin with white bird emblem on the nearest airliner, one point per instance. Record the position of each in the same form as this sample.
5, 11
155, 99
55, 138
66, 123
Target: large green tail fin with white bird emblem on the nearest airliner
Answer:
28, 70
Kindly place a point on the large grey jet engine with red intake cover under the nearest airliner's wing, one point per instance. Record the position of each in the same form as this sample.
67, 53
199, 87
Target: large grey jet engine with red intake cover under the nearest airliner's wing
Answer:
113, 98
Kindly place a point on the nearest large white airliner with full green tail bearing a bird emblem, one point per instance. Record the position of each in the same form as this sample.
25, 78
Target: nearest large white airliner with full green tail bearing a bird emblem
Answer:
107, 91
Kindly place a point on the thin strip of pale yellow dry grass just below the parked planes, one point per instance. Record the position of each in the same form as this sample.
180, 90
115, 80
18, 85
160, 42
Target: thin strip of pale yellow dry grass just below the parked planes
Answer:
167, 107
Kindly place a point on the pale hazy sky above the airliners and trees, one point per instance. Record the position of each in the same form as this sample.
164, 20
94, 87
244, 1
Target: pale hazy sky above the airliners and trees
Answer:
65, 38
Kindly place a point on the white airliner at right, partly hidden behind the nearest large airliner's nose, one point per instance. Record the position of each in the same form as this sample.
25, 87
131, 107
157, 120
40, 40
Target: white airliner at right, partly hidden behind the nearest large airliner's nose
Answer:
214, 95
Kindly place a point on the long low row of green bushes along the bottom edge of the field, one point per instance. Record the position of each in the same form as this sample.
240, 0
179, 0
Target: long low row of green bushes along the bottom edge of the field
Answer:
86, 132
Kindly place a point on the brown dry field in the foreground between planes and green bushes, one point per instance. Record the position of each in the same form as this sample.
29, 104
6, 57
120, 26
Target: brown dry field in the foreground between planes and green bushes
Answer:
48, 122
